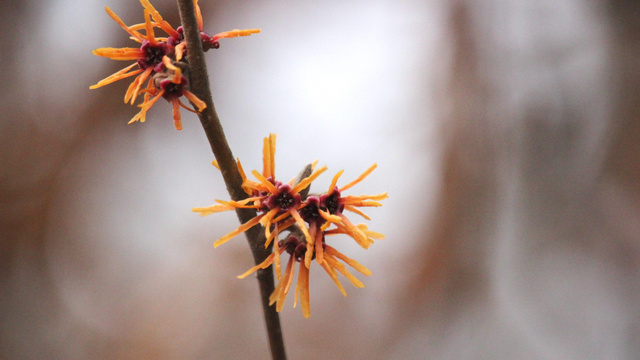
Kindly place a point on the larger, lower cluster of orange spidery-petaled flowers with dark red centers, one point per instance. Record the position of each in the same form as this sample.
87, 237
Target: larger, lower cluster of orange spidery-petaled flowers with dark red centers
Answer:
307, 219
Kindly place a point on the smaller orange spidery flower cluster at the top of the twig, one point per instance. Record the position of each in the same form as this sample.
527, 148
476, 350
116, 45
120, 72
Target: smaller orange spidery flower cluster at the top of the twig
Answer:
160, 62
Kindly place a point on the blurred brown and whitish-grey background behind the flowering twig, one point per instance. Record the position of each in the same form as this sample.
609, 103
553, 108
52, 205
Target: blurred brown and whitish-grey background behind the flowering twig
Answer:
506, 133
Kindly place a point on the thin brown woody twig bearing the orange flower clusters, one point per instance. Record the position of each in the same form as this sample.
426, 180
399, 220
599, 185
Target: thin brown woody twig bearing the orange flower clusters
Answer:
199, 85
